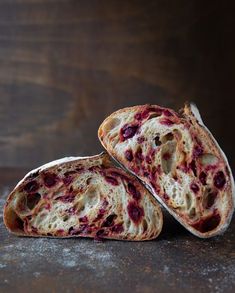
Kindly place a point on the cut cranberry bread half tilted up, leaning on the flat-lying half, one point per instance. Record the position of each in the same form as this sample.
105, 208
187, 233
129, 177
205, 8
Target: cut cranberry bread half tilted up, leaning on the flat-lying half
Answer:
178, 160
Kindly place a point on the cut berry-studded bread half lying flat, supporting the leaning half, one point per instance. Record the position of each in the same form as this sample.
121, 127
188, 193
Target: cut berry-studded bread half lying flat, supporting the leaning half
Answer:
87, 197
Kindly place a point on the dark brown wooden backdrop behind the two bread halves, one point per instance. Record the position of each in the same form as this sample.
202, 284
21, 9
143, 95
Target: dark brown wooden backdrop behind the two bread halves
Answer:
66, 64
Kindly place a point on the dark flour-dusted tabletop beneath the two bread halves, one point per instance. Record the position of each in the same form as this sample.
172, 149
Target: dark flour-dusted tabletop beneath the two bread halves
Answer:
175, 262
